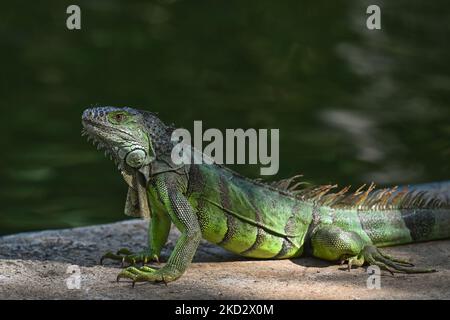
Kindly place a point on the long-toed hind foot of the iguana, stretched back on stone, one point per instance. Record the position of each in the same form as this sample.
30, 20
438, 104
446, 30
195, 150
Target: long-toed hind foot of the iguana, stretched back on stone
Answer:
373, 256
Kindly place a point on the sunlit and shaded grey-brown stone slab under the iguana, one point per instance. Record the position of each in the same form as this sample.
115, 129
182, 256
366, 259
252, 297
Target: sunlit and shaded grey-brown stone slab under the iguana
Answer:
37, 266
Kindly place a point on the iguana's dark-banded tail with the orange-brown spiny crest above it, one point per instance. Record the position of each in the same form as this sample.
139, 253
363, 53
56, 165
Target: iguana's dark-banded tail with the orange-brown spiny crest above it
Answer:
388, 216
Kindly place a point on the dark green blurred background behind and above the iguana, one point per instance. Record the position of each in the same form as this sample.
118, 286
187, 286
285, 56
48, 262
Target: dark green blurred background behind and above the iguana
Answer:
352, 105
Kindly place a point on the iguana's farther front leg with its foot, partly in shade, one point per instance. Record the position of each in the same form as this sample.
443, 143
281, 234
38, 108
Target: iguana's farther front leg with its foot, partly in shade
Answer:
158, 232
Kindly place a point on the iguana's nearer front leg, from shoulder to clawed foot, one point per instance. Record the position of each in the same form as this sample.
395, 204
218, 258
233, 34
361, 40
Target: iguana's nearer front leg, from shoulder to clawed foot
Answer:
184, 218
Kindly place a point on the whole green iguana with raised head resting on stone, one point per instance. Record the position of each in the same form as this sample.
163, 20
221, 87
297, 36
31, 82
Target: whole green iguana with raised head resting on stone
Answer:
248, 217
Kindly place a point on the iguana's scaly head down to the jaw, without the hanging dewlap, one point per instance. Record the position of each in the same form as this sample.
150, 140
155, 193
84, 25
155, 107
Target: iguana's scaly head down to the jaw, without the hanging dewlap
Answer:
124, 133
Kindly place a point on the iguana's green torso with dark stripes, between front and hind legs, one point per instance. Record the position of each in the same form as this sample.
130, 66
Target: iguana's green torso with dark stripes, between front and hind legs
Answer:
244, 217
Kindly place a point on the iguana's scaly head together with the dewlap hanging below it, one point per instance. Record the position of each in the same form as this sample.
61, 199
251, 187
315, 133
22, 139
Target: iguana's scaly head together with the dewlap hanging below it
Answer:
134, 139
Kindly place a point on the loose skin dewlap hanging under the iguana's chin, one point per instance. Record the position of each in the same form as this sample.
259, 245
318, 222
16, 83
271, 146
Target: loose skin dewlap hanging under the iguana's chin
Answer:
136, 204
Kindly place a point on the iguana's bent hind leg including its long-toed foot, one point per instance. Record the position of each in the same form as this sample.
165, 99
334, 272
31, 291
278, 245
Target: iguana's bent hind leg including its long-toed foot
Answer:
334, 244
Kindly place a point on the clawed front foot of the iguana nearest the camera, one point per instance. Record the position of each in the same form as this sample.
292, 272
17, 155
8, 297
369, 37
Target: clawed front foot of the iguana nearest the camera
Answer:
146, 274
